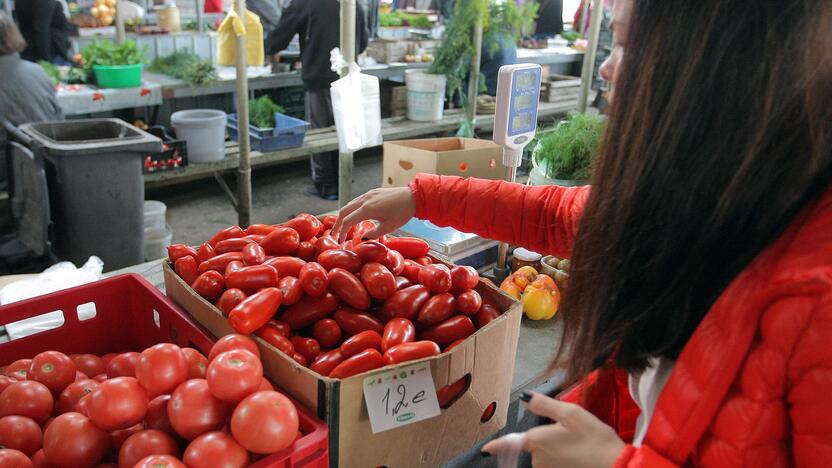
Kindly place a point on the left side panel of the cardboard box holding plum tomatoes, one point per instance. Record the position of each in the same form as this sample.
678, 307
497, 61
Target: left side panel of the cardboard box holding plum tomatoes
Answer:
279, 368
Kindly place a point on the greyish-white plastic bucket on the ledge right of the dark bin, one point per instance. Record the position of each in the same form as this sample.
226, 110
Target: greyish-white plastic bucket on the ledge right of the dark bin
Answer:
204, 132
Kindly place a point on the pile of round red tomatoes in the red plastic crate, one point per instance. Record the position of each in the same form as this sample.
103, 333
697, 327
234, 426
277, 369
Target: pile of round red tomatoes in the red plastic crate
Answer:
166, 407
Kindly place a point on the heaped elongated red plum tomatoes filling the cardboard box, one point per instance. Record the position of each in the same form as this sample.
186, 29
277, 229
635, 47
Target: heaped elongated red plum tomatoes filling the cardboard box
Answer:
340, 309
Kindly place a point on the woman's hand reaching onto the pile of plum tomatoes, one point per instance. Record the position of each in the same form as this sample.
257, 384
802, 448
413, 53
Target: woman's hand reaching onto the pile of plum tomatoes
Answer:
390, 207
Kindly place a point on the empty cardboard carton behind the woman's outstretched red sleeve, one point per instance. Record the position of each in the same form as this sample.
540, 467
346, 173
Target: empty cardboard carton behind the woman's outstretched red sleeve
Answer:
465, 157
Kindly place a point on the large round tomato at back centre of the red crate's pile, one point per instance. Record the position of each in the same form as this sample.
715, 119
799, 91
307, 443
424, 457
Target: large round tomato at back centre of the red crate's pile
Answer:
162, 368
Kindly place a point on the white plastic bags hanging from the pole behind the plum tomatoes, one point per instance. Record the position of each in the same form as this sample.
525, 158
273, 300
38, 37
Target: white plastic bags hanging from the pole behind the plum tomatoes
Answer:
356, 105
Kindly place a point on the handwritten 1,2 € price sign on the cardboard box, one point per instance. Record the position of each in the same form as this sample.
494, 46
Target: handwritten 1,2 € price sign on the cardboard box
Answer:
400, 397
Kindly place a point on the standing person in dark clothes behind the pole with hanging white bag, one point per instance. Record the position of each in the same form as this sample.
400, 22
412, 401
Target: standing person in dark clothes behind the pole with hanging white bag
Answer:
316, 23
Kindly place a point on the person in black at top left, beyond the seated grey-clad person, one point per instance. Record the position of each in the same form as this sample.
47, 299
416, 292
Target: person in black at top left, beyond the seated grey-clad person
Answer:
45, 30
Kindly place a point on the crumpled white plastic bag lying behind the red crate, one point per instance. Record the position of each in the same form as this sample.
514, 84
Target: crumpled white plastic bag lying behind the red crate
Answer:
60, 276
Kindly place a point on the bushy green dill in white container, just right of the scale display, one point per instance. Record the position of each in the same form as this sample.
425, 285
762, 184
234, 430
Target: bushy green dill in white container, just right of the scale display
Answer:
563, 155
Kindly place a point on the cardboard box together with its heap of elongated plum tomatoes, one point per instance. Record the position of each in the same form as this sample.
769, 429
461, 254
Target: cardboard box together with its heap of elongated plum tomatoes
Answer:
471, 358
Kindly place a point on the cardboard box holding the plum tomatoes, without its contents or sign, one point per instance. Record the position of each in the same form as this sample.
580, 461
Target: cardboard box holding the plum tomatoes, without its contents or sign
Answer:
487, 357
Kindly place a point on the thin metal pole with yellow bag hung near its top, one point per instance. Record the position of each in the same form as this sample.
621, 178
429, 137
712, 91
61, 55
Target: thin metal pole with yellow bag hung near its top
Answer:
244, 169
